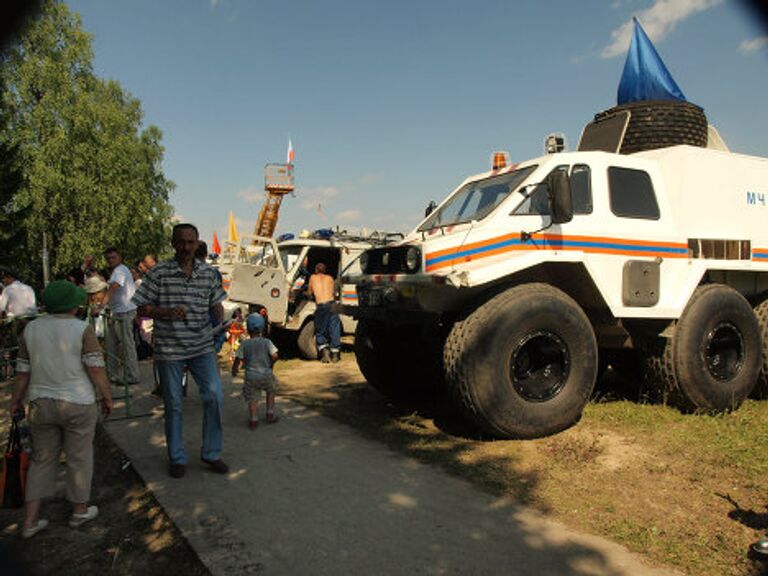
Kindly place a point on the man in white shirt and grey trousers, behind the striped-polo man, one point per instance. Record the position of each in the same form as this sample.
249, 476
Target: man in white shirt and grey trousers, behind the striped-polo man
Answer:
122, 362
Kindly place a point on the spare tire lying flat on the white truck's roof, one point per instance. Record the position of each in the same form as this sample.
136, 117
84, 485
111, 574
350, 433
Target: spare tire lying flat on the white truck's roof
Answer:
660, 123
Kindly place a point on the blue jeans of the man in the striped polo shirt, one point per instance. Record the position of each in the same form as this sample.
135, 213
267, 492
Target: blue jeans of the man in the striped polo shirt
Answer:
205, 371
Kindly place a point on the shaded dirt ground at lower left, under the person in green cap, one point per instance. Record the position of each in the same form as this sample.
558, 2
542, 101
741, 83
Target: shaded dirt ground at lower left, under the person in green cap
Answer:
132, 534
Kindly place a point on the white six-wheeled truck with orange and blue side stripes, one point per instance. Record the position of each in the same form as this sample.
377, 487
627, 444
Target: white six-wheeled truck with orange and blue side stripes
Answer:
511, 290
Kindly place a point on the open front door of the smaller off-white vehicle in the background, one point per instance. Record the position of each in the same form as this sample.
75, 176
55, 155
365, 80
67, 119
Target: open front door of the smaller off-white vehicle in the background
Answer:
262, 280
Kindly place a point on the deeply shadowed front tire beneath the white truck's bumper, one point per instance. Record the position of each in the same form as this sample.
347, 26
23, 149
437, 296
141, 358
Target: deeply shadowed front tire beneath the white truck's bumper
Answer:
399, 362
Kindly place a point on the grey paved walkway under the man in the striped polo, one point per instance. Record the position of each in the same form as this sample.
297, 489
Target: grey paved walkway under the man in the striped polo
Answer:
309, 496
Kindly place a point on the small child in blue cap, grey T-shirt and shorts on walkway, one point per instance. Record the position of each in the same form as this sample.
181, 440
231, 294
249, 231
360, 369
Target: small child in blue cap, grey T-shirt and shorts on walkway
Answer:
258, 355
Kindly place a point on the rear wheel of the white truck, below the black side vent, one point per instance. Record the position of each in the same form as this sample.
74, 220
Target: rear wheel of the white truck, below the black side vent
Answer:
712, 361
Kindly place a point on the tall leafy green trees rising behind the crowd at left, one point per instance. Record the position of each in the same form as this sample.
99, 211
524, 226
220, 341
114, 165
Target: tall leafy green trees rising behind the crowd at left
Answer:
87, 174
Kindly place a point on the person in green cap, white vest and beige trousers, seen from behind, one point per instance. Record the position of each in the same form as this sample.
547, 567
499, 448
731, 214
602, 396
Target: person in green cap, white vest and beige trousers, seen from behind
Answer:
59, 364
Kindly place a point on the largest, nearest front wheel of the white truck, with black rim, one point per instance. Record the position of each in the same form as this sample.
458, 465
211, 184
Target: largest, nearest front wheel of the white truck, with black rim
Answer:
523, 364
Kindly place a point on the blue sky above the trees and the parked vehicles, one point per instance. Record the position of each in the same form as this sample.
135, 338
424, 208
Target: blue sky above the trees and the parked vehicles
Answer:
391, 104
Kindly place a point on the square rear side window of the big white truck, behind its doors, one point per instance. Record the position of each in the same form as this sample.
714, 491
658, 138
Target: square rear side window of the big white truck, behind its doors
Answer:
631, 194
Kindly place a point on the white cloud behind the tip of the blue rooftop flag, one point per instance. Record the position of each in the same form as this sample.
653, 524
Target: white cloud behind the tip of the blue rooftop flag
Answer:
657, 21
